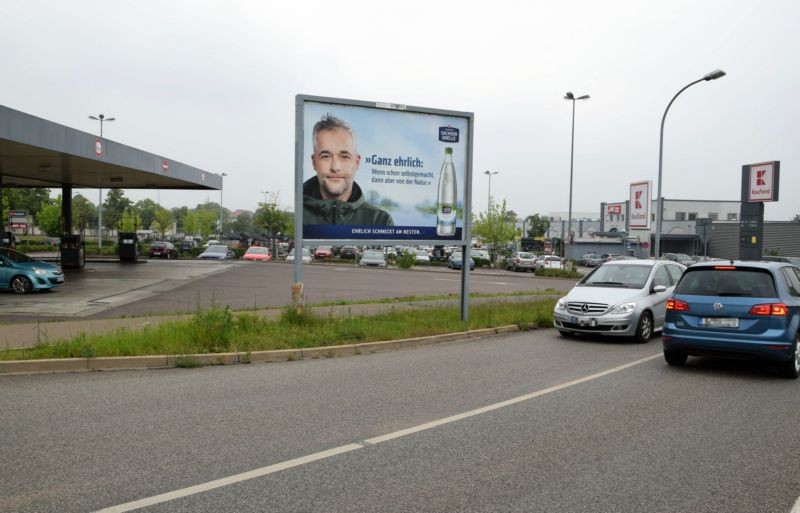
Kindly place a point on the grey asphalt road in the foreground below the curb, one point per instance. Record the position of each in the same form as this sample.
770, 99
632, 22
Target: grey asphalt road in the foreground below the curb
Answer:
596, 426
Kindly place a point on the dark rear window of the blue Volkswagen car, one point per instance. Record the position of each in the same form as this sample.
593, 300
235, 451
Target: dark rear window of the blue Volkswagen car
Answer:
735, 281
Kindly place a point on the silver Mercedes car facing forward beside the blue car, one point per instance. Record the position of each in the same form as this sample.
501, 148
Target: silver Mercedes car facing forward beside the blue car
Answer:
625, 298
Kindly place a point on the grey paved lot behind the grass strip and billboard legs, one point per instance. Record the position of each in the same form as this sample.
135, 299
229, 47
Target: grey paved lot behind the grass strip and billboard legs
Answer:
108, 289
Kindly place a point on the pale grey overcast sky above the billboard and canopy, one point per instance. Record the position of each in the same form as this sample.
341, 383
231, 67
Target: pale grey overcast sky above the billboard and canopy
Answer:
212, 84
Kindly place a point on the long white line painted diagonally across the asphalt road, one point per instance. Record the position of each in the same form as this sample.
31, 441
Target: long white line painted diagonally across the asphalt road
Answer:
277, 467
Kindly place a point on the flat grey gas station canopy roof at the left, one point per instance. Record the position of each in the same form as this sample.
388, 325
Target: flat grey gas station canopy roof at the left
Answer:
35, 152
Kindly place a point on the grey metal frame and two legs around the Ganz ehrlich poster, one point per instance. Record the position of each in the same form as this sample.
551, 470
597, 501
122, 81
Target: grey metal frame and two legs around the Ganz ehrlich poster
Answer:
300, 156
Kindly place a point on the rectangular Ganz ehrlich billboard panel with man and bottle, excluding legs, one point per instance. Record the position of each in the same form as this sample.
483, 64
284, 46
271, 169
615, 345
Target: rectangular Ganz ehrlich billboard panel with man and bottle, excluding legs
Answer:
378, 171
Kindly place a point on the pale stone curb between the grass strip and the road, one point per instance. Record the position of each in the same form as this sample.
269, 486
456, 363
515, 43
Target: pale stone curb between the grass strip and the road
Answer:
52, 366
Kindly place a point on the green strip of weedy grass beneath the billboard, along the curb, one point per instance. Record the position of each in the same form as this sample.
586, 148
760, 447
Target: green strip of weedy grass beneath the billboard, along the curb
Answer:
219, 330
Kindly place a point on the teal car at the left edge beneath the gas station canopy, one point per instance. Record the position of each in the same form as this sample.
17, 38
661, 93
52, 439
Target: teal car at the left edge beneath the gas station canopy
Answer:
22, 274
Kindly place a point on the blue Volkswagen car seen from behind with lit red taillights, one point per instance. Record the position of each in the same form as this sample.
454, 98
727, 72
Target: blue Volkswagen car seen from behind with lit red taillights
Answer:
736, 309
